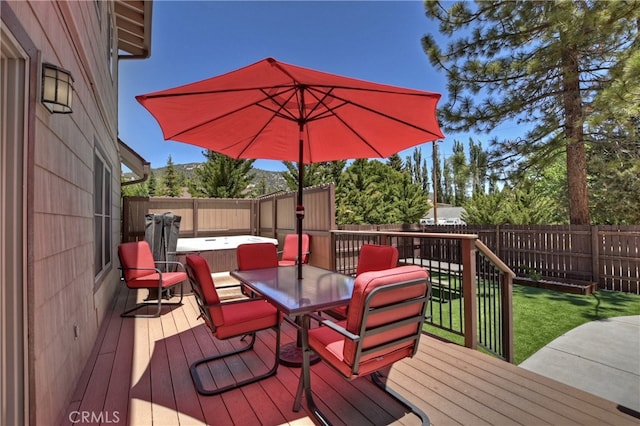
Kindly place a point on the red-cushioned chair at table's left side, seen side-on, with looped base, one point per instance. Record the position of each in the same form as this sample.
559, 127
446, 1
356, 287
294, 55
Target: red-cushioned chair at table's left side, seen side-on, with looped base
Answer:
227, 320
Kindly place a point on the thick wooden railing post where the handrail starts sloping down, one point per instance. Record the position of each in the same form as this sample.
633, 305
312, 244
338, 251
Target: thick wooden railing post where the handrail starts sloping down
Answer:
469, 293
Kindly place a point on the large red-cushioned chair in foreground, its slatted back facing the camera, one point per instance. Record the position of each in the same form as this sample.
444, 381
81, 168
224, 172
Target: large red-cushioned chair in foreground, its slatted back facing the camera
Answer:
383, 326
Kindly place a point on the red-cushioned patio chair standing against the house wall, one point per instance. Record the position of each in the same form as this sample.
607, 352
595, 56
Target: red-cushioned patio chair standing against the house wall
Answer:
140, 270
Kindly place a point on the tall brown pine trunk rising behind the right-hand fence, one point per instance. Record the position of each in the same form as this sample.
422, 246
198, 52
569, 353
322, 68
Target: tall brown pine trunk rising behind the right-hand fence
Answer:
576, 153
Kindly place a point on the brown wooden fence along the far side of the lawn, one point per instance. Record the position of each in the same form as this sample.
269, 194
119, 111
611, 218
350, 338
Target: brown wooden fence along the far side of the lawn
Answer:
608, 255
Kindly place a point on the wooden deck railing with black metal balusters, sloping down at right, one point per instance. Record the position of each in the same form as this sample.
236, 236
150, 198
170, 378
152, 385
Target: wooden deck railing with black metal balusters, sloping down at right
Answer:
471, 295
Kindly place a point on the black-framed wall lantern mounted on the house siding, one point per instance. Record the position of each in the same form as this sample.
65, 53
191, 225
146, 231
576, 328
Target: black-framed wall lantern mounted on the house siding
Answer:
57, 89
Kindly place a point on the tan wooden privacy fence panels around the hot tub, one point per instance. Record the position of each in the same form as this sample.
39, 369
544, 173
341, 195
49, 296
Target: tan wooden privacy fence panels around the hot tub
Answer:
269, 216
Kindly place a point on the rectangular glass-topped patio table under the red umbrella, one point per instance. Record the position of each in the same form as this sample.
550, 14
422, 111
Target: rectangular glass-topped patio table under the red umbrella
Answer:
318, 290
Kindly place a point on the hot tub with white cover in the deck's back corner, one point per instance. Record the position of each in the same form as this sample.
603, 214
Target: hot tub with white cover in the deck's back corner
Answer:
220, 252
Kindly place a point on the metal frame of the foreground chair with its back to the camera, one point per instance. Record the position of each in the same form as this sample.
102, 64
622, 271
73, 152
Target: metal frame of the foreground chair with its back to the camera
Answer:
305, 377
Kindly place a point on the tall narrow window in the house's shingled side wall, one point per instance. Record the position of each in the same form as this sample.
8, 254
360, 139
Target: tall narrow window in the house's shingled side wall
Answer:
102, 214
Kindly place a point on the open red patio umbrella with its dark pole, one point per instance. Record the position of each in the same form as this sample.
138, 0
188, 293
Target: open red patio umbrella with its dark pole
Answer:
277, 111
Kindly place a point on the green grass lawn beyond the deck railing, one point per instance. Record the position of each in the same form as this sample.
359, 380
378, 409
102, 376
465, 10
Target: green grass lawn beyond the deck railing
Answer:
540, 316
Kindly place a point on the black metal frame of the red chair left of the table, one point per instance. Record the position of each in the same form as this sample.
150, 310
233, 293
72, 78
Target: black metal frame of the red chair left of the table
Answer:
204, 312
